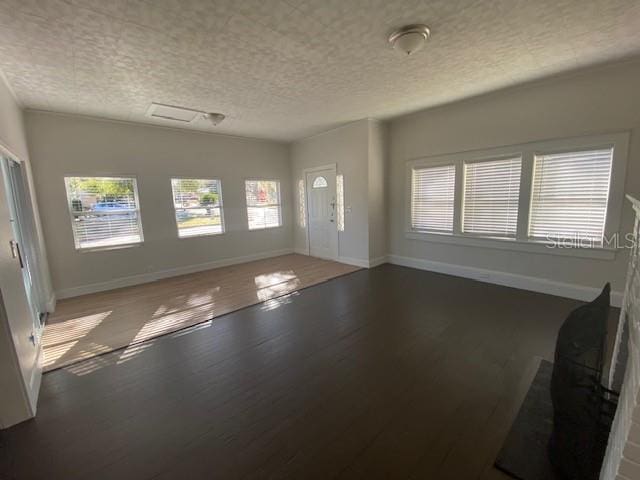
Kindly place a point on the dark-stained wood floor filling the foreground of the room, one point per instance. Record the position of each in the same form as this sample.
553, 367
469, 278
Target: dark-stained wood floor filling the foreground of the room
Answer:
385, 373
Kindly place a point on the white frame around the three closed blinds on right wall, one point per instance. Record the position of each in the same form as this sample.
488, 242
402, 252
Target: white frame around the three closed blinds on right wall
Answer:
527, 151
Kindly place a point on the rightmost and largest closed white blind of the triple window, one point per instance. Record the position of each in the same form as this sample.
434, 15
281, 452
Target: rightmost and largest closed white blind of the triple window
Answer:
570, 192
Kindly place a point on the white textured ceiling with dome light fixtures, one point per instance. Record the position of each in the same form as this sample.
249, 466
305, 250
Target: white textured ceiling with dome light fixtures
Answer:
285, 69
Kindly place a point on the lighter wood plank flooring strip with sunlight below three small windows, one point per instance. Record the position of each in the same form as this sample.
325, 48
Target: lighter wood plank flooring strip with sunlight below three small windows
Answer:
90, 325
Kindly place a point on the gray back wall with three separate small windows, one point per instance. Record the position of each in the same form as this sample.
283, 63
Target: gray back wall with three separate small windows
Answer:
66, 145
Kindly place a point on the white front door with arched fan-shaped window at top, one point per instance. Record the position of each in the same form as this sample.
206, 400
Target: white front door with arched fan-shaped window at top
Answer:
321, 207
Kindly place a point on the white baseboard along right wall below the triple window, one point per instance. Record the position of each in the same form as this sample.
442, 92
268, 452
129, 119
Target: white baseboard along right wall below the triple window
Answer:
523, 282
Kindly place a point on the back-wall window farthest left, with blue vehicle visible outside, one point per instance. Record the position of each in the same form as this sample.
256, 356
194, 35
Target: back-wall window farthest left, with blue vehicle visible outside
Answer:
104, 211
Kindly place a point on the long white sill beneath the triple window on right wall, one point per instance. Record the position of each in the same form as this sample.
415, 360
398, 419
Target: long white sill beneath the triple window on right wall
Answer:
529, 246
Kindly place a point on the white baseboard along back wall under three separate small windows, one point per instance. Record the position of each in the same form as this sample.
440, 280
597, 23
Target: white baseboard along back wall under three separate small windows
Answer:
173, 272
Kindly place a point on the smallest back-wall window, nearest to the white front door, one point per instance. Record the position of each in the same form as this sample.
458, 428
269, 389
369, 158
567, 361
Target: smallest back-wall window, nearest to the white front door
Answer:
263, 204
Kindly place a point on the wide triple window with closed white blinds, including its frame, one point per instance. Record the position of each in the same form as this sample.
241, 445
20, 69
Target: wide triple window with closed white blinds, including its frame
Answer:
561, 196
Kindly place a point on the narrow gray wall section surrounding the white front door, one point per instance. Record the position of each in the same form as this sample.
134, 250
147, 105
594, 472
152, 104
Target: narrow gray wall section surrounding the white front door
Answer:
347, 147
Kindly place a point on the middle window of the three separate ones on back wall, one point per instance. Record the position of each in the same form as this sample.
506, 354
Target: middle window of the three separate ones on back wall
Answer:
198, 206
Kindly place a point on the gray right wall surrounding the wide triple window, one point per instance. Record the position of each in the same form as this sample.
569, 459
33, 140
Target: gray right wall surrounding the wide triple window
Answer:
591, 102
